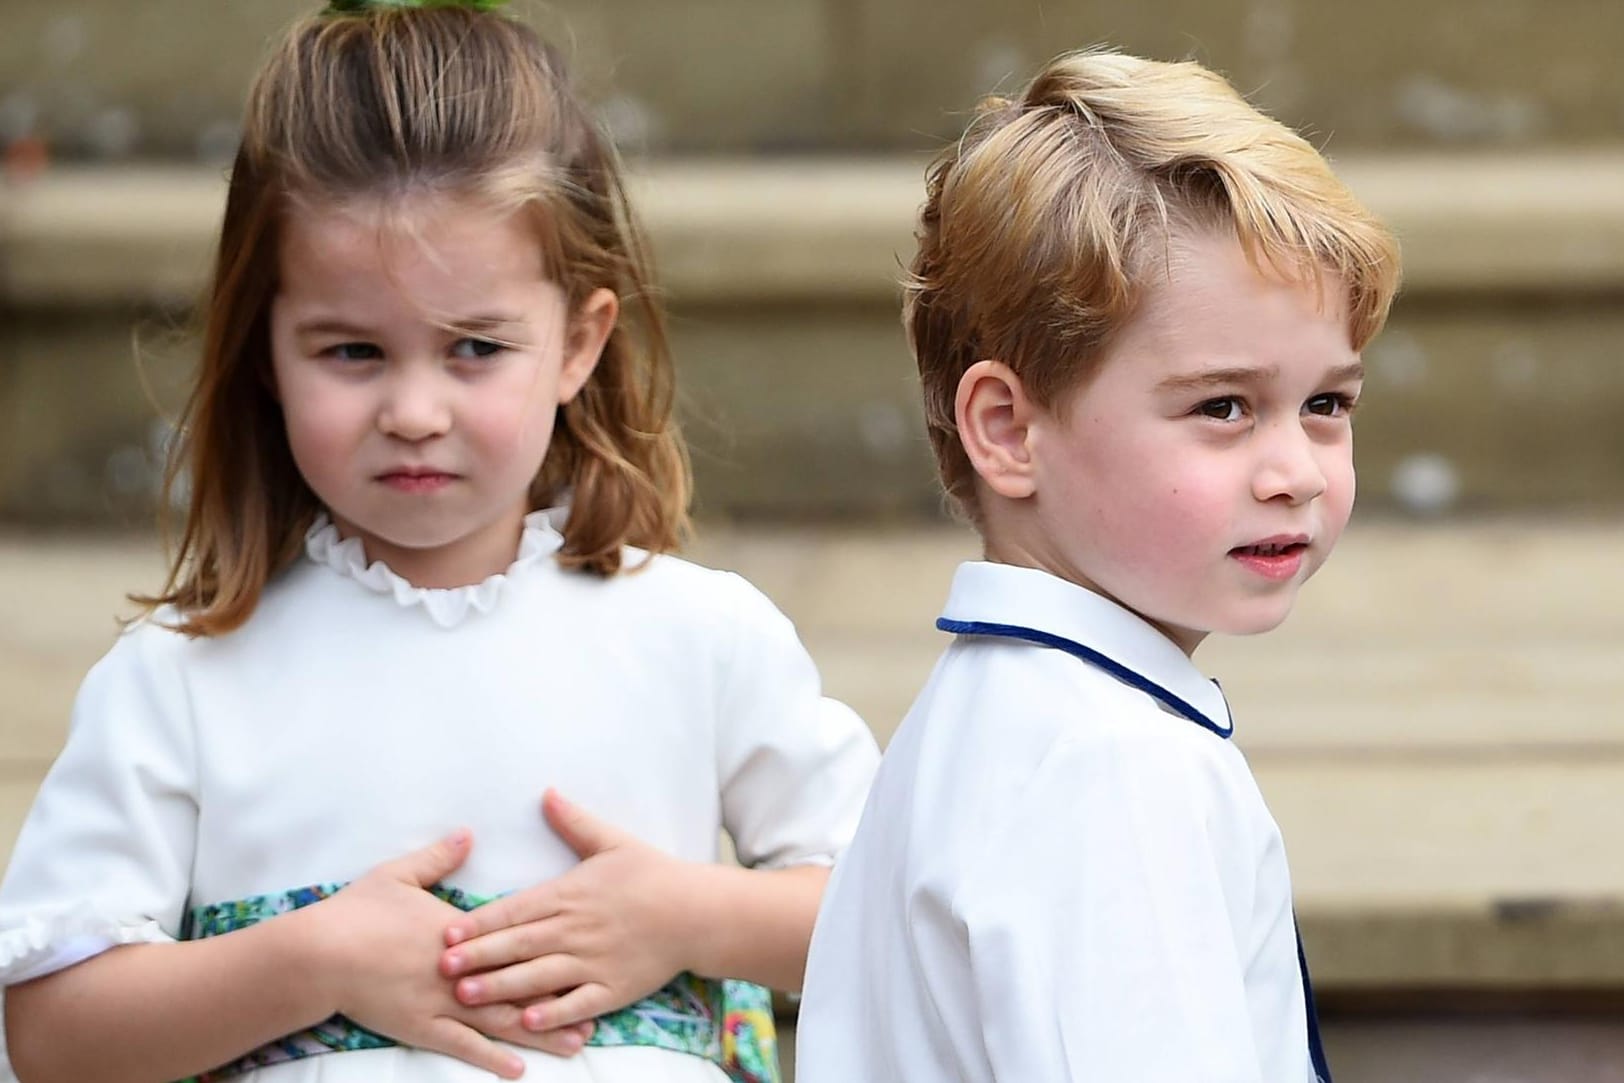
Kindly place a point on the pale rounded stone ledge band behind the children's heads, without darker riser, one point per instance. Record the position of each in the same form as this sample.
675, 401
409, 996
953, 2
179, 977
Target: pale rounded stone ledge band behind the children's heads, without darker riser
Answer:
832, 230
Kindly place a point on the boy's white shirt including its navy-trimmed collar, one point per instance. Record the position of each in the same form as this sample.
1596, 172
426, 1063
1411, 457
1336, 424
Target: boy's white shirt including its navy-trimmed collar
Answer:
1056, 876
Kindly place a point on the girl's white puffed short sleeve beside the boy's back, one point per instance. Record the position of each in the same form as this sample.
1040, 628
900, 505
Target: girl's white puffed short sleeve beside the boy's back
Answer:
795, 766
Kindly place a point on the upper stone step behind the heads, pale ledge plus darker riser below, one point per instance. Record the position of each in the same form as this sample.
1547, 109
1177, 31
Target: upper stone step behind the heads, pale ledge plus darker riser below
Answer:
1497, 386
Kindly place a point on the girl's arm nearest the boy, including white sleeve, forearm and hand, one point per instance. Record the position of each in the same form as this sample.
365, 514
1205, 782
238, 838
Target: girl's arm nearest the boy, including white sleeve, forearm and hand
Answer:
795, 770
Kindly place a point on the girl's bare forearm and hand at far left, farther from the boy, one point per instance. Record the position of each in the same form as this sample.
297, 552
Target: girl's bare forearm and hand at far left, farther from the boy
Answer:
168, 1011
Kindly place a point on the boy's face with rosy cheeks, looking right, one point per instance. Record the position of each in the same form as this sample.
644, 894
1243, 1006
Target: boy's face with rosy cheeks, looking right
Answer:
1206, 470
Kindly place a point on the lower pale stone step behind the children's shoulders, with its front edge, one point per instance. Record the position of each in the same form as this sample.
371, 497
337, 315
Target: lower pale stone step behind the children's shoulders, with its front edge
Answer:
1430, 853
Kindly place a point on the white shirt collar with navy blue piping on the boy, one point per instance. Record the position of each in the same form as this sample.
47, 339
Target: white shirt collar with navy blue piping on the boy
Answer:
1068, 616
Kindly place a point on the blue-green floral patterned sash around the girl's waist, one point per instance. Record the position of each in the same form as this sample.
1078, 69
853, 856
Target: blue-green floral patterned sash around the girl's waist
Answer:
725, 1022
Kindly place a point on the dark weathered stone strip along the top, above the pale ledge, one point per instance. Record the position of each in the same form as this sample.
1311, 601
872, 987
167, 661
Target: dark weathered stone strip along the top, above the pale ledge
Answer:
113, 79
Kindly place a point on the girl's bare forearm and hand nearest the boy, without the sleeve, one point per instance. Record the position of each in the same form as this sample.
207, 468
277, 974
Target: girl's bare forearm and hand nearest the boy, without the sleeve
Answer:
624, 923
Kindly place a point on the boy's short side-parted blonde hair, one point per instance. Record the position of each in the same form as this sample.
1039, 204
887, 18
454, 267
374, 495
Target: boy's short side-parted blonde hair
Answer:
1047, 222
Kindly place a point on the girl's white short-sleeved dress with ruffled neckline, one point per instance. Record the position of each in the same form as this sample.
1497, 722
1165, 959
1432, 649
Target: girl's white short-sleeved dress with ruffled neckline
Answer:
356, 718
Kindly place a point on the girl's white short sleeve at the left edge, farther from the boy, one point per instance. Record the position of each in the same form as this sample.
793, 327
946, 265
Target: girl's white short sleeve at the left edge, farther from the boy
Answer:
106, 852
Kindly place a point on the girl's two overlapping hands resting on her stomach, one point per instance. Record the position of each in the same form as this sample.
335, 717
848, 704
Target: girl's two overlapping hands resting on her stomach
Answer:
533, 969
